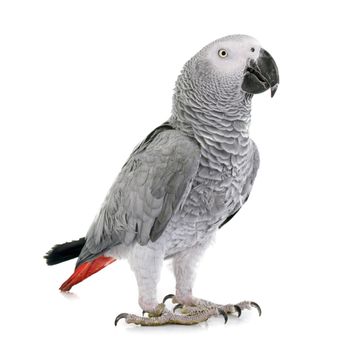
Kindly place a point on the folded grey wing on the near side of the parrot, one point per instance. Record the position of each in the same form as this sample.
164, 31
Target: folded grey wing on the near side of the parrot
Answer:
150, 188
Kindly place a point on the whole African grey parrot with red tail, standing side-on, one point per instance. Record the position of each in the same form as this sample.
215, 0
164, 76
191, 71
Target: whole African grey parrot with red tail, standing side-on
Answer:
187, 179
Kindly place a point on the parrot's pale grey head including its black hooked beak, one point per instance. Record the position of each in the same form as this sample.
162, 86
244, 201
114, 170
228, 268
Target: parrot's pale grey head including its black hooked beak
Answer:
234, 63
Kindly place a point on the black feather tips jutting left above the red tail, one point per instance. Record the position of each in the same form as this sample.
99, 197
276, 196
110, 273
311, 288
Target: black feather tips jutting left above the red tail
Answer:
63, 252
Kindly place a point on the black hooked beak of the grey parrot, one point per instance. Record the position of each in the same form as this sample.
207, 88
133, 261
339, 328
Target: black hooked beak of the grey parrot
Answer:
261, 75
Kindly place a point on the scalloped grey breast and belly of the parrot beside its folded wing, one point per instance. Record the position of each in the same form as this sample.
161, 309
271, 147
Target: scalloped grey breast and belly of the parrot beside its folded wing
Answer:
213, 196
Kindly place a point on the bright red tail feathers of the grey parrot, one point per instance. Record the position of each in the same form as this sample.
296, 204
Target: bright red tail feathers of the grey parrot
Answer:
85, 270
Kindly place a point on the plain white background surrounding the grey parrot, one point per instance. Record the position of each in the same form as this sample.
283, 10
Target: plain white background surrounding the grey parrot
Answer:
82, 82
